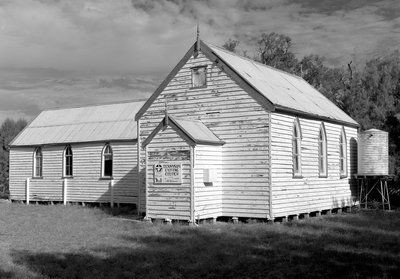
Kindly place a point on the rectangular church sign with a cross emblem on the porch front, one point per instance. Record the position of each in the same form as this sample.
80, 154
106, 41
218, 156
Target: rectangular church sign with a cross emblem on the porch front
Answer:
168, 173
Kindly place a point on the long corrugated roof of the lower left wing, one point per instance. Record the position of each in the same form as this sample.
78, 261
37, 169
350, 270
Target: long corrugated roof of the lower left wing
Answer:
83, 124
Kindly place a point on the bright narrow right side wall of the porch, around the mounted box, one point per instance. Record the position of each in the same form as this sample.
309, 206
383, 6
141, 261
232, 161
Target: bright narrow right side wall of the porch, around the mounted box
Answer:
208, 198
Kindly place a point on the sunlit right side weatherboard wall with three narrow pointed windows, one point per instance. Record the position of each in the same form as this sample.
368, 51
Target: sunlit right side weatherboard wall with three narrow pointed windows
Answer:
311, 192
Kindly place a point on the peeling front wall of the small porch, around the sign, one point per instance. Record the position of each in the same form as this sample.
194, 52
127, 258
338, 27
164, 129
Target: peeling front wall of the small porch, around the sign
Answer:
169, 201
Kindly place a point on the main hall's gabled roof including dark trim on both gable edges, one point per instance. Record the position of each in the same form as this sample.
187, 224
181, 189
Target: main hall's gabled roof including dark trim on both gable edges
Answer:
274, 89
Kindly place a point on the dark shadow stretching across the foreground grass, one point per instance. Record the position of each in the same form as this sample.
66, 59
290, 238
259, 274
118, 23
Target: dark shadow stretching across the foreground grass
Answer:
309, 249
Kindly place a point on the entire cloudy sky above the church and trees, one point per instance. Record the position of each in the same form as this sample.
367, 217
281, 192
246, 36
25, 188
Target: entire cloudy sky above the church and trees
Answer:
63, 53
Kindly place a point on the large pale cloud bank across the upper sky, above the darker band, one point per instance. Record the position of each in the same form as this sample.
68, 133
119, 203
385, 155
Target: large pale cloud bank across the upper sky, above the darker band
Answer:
142, 36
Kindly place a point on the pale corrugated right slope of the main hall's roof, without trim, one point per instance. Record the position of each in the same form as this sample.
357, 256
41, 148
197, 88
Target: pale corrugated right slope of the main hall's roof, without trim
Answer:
284, 90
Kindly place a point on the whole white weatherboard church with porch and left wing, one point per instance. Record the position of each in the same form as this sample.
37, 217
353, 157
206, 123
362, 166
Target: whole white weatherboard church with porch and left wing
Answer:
221, 136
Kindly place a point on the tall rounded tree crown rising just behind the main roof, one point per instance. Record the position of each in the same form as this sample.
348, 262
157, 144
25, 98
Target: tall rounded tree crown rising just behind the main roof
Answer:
275, 50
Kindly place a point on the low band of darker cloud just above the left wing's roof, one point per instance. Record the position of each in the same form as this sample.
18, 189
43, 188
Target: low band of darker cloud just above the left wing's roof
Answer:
25, 96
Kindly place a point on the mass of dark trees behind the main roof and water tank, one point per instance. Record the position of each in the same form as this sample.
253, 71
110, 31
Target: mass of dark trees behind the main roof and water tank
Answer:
371, 95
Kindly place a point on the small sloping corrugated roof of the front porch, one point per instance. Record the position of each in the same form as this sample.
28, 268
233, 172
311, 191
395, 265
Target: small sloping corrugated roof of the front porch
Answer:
196, 130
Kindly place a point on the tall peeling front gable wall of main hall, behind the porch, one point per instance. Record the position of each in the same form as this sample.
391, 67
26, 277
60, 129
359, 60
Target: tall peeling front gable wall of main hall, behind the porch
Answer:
236, 118
